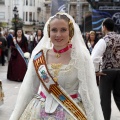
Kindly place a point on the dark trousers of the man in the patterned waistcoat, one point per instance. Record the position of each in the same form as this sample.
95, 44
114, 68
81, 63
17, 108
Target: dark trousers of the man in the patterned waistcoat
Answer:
109, 83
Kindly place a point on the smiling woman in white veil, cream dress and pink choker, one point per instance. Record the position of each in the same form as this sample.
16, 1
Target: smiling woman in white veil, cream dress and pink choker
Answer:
68, 64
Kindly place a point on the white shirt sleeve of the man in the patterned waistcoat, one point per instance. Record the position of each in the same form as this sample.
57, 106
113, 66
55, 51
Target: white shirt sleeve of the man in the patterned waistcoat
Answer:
98, 52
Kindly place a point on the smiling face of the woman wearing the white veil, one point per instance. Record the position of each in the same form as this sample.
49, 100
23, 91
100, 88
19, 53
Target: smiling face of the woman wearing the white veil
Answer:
59, 32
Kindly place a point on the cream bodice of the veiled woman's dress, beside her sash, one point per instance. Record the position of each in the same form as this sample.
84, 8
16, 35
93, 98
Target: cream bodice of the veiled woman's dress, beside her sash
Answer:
67, 77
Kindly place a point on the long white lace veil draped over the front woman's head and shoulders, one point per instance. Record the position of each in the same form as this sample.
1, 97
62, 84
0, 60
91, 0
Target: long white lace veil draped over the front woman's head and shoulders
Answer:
86, 75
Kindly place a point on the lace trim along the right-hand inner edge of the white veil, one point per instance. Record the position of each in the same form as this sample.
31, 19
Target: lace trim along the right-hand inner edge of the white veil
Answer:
83, 86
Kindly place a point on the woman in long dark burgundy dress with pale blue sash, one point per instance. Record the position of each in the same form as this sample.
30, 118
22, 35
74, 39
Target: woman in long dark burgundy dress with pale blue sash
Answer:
17, 66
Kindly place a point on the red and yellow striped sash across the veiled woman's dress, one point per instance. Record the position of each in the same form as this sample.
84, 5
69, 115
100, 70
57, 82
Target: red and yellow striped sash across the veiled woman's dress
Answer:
53, 88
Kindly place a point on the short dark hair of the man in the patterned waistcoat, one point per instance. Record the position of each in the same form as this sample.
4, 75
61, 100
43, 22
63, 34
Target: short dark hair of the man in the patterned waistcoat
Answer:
109, 24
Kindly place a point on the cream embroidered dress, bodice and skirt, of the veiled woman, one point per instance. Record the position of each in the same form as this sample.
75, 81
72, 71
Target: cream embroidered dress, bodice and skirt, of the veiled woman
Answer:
67, 78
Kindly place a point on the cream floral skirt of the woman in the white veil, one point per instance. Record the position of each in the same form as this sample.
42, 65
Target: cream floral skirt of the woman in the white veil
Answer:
36, 111
